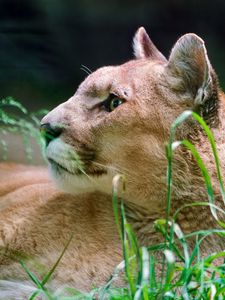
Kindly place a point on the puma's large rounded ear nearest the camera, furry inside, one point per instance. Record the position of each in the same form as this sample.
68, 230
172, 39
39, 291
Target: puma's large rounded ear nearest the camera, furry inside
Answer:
189, 69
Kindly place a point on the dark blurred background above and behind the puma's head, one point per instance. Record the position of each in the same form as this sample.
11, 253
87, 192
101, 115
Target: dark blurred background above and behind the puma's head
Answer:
43, 43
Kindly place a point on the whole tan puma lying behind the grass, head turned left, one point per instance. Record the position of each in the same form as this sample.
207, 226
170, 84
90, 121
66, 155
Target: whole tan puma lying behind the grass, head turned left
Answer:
118, 121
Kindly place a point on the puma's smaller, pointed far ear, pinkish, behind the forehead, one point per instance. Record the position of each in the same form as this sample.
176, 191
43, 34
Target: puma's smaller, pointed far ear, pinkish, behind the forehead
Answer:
144, 48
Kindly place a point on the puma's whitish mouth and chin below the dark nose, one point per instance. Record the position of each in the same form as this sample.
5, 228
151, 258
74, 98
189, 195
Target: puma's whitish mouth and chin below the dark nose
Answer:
73, 175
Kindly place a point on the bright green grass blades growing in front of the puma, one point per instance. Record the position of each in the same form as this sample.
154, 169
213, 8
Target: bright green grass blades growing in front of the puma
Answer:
194, 277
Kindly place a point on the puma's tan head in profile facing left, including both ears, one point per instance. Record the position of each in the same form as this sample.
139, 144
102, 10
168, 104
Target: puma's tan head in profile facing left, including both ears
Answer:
119, 118
